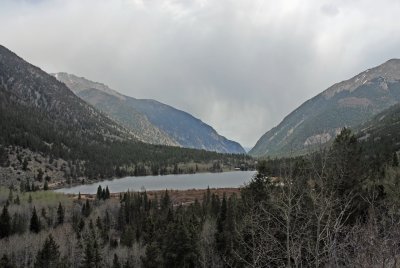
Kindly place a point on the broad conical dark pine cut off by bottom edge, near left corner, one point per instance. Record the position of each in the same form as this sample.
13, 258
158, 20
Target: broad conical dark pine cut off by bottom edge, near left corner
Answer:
49, 255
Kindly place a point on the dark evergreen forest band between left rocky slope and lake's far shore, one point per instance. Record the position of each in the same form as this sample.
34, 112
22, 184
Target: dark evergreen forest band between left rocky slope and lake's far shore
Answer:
93, 154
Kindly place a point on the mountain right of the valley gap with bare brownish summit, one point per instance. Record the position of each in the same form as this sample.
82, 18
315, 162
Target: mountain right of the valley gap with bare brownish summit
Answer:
345, 104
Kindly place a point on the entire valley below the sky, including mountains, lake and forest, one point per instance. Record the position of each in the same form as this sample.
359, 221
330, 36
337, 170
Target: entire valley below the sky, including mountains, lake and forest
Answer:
93, 178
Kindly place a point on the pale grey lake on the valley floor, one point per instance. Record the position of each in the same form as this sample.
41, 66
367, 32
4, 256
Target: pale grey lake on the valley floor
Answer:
231, 179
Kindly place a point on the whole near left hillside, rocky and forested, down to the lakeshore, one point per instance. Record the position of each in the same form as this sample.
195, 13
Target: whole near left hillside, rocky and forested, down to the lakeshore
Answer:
48, 132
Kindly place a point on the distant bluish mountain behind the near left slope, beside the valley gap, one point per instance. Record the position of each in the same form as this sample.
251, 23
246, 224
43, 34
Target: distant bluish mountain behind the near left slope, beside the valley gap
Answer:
150, 121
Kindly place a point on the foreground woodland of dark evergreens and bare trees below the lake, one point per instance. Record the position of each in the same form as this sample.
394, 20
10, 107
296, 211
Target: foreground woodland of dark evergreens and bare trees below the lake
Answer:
335, 207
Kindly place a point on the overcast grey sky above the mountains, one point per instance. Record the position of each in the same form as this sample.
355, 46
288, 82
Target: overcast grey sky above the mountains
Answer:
239, 65
